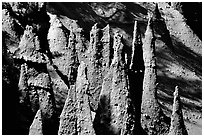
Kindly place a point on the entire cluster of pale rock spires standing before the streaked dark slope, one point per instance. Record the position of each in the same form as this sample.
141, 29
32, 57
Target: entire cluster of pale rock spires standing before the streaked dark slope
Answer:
106, 95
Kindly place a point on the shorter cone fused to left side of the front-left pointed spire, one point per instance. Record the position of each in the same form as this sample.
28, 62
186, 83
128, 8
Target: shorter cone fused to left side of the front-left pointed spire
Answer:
68, 118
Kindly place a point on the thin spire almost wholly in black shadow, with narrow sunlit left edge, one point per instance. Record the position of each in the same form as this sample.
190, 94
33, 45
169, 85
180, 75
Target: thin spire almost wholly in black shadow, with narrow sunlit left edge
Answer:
135, 77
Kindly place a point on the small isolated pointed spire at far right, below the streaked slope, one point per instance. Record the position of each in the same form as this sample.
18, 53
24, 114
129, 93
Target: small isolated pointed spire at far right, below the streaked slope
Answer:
177, 124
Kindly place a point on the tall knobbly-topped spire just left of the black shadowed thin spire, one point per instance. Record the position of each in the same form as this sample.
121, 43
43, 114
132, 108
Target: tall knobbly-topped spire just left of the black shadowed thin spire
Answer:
121, 121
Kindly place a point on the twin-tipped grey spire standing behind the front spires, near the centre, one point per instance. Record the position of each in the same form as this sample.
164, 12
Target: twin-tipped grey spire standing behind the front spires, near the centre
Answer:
99, 61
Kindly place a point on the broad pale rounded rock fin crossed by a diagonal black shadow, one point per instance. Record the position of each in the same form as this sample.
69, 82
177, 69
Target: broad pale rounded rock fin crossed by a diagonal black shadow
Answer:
64, 61
